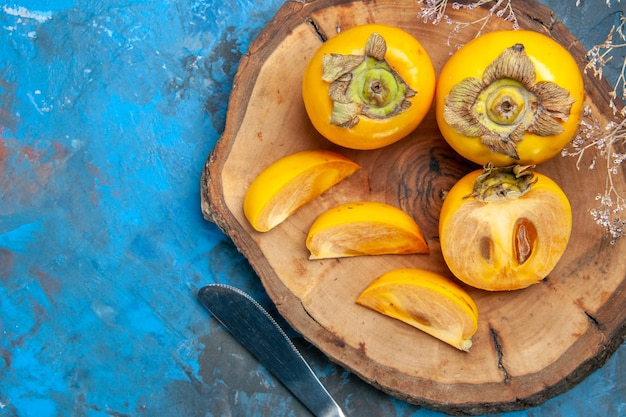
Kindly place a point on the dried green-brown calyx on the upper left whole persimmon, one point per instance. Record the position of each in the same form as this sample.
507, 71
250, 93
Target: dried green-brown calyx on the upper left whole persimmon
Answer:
364, 85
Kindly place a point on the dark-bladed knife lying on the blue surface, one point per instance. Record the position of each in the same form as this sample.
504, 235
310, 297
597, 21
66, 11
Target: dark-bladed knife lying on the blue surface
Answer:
253, 327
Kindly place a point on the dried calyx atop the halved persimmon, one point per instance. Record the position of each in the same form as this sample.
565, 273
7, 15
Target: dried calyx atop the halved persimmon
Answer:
503, 183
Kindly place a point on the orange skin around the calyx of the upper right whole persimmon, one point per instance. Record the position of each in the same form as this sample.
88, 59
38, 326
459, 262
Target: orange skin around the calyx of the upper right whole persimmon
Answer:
552, 63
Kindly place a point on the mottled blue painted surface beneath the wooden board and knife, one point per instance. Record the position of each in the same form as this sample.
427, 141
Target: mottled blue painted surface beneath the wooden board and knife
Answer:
108, 110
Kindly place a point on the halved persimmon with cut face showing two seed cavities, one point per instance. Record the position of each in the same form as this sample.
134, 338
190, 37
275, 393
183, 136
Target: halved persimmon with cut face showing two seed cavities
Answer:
504, 228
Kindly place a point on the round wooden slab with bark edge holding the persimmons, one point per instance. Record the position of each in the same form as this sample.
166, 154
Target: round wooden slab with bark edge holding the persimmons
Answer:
531, 344
